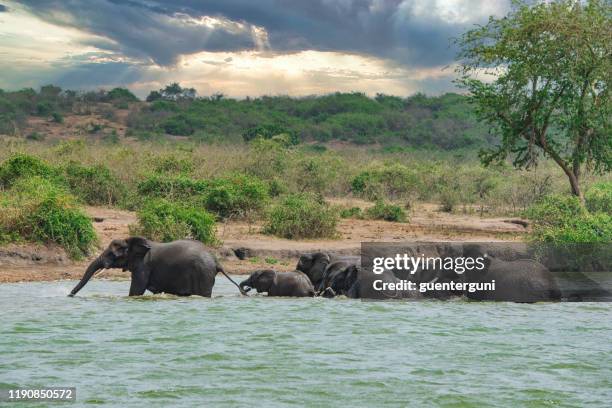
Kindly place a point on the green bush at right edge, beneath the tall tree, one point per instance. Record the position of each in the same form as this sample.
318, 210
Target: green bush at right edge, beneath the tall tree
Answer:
561, 219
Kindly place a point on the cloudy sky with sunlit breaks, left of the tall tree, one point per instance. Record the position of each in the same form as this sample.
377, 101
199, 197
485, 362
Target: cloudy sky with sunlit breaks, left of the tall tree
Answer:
237, 47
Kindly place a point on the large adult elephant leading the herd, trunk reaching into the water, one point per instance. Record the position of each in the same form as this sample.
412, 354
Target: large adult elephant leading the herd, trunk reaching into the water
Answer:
180, 268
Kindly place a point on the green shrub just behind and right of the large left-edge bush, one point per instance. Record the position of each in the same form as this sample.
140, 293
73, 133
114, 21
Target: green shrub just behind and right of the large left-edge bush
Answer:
94, 185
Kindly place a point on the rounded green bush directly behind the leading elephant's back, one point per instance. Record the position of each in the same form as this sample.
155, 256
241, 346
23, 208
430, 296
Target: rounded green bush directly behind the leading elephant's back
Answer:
164, 221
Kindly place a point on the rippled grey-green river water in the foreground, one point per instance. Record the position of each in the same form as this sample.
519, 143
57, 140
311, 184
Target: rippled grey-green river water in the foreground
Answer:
232, 351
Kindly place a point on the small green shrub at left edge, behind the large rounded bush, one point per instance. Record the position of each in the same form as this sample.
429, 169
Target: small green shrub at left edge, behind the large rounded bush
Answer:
23, 165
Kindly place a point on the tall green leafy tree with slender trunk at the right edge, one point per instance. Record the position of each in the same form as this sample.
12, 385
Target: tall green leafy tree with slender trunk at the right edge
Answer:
540, 78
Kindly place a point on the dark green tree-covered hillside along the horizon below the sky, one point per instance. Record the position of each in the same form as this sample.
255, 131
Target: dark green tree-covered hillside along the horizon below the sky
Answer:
445, 121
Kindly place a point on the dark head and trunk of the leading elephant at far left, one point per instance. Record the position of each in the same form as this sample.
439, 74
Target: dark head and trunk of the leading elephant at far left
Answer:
121, 253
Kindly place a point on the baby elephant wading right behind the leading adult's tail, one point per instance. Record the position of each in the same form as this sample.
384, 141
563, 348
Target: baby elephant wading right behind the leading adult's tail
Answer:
294, 284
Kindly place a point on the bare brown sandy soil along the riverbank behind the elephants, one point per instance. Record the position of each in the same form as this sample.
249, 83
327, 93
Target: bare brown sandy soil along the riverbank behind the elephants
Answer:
42, 263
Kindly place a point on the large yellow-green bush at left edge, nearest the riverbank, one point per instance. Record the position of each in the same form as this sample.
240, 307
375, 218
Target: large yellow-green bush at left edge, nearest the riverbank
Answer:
37, 210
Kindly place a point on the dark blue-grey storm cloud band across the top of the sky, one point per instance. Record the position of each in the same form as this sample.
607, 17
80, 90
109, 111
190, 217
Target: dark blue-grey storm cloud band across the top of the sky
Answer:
164, 30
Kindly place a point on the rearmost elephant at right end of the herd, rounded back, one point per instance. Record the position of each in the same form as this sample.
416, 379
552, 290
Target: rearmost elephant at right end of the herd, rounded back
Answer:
520, 280
